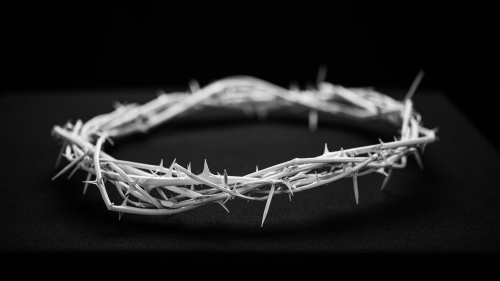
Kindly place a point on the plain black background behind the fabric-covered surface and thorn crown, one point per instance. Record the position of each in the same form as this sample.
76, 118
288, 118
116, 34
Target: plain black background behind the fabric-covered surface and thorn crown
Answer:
61, 46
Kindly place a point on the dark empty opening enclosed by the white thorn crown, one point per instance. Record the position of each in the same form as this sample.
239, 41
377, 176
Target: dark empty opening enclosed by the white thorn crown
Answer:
238, 143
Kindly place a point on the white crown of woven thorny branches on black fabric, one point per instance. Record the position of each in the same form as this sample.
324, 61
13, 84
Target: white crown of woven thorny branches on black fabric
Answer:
179, 190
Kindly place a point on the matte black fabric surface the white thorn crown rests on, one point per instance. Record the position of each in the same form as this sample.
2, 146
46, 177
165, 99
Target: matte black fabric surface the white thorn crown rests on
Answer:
451, 208
